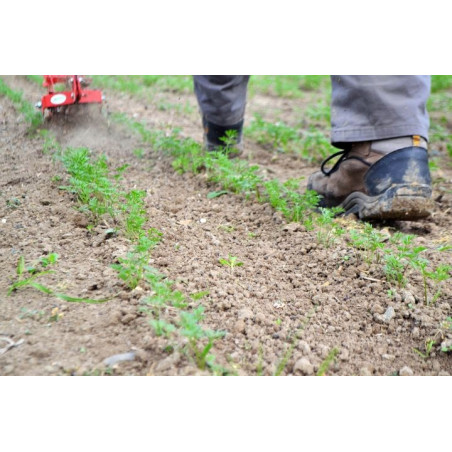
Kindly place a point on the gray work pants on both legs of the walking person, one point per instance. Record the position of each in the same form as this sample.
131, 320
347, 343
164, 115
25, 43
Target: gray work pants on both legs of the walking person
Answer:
363, 107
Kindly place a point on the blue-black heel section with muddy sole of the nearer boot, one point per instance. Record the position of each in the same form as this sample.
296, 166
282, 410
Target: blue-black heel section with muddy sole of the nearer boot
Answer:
397, 187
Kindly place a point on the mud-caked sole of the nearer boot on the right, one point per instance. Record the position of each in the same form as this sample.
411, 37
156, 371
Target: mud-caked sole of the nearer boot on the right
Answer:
400, 202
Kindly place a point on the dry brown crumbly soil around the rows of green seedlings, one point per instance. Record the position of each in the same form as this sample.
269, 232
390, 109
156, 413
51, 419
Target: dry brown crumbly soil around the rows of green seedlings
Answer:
288, 286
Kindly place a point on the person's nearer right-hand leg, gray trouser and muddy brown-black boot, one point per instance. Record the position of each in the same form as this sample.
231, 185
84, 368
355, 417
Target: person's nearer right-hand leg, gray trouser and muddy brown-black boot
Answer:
378, 119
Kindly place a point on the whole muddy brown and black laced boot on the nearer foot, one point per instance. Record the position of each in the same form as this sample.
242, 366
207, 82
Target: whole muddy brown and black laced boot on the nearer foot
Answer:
386, 179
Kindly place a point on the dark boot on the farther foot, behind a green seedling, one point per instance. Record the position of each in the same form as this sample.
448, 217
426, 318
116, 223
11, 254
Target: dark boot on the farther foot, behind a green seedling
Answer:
226, 139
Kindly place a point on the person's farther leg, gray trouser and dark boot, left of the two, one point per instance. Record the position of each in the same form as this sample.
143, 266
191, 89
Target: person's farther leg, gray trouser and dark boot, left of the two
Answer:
222, 101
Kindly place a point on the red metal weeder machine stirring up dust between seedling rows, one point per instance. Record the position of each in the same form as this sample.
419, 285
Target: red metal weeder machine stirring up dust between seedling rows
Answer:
76, 92
